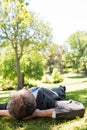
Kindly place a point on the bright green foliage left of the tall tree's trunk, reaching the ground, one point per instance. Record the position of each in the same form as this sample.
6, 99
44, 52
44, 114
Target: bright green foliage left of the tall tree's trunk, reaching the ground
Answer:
8, 72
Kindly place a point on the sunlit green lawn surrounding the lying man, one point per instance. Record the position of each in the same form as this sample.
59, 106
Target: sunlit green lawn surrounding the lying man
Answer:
76, 89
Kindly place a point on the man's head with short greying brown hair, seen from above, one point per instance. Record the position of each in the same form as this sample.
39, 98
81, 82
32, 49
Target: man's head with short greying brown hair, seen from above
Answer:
21, 104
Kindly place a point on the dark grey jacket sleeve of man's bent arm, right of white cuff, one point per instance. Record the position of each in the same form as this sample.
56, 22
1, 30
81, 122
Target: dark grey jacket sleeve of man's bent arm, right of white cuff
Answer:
69, 109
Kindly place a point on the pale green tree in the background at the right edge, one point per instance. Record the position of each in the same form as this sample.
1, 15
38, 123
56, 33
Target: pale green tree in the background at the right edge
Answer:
78, 44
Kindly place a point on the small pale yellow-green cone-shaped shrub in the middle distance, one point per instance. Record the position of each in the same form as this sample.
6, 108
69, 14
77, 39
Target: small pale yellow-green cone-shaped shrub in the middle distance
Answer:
56, 76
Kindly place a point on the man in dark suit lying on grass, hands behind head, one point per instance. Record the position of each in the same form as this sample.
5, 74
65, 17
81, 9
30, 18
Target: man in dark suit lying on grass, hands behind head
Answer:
41, 102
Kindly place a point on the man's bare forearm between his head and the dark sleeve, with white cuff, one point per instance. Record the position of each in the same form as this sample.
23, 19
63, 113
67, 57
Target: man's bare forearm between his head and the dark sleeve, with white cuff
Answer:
42, 113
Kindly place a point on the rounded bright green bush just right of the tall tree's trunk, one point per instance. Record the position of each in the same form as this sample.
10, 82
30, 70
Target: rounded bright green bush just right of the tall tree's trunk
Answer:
33, 66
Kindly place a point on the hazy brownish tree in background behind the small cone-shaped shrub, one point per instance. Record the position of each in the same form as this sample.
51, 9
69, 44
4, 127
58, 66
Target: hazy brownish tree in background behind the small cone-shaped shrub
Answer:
54, 57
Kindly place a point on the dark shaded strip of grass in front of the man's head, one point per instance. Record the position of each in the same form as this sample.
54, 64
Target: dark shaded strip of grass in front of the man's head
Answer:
33, 124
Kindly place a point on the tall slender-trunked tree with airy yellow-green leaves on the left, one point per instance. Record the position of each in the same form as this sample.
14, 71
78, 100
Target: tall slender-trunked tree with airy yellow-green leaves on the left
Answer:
20, 29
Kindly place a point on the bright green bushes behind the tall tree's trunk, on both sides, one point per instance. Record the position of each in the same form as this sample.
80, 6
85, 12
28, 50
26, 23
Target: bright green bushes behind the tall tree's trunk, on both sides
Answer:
31, 66
